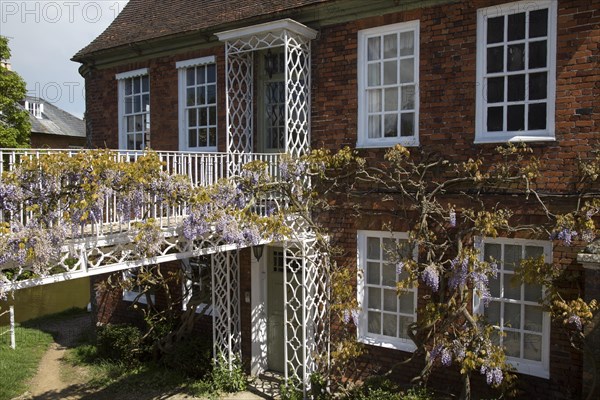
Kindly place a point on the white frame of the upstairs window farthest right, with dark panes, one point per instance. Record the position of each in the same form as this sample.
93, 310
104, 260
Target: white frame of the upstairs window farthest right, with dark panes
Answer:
481, 133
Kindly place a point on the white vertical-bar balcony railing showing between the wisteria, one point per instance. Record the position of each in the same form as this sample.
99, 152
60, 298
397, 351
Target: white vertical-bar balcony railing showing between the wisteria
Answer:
202, 169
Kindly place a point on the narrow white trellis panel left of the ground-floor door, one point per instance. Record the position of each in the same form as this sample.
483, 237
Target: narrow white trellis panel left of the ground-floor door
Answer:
226, 305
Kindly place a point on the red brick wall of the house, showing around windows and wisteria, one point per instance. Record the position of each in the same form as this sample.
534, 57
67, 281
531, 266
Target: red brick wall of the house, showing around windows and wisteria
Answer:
446, 127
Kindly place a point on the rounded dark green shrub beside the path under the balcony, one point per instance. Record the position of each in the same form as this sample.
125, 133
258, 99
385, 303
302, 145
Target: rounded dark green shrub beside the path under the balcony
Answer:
122, 342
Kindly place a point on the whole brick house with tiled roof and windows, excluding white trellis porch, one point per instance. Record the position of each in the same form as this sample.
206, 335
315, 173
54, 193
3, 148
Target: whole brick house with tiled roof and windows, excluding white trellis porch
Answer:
450, 112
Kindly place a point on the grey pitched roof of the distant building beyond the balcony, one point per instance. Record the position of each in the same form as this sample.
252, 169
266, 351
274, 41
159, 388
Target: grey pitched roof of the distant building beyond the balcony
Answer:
55, 121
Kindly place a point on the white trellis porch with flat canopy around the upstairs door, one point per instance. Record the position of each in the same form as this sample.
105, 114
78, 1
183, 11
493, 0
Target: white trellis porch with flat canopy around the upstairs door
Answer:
240, 44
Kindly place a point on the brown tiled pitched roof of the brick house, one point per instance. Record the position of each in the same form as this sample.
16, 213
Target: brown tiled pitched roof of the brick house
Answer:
142, 20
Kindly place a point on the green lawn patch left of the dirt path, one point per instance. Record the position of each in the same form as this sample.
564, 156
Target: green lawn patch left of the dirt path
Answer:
19, 365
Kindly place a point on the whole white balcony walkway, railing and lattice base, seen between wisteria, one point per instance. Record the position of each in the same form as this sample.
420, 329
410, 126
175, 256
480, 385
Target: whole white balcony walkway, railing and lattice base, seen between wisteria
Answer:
104, 245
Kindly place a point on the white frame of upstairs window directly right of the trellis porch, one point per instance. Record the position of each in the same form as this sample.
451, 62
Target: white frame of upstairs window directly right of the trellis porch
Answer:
362, 135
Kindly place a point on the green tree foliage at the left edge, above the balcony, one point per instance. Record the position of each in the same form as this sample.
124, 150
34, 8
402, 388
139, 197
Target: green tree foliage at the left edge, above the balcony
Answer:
15, 127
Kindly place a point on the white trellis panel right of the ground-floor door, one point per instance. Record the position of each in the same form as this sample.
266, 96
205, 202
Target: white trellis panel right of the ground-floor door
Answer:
305, 314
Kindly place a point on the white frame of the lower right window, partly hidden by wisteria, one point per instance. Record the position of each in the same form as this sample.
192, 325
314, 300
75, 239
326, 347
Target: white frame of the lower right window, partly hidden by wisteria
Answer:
535, 368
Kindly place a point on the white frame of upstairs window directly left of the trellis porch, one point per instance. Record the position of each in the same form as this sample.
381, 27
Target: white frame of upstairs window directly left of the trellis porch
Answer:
182, 67
